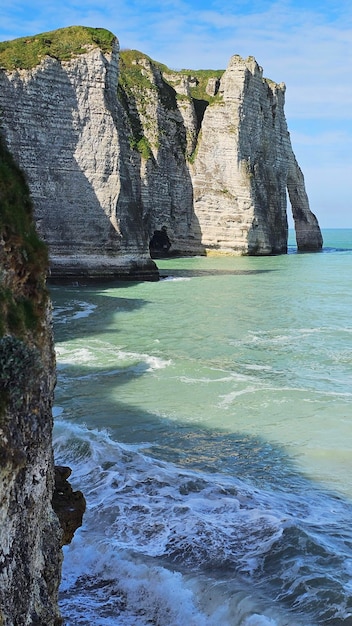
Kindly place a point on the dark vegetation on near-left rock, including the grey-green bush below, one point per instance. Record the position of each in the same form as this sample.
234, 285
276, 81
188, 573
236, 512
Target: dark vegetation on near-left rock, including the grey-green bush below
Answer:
23, 295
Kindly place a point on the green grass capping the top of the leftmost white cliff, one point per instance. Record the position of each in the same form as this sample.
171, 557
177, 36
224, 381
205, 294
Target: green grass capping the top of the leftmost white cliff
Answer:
62, 44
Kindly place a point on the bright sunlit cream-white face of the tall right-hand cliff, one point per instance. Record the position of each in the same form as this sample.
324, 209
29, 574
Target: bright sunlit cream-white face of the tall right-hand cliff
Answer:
221, 188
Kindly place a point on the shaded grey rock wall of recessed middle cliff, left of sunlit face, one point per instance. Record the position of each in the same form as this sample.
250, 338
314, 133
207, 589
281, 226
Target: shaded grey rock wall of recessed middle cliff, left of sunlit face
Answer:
165, 186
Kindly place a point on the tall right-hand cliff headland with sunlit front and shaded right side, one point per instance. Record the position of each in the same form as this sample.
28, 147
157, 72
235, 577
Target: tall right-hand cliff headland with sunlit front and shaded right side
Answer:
244, 165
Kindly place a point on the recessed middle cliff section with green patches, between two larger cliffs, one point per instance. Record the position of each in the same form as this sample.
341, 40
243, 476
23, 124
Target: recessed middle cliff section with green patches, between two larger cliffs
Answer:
167, 127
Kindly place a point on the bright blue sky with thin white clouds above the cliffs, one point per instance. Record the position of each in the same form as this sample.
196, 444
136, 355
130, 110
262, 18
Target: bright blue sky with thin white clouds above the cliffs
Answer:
306, 44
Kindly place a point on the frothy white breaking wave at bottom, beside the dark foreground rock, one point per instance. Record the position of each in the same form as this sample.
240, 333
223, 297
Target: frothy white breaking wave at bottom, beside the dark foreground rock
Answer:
120, 590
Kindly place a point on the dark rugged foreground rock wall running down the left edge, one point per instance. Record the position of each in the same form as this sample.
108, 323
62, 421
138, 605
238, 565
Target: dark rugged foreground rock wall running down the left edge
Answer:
30, 535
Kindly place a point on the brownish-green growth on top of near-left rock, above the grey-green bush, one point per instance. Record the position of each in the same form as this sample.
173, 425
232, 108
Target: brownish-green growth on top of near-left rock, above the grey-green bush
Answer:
23, 256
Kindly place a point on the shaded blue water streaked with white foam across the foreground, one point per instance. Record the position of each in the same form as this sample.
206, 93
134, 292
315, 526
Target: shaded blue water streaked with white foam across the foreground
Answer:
164, 545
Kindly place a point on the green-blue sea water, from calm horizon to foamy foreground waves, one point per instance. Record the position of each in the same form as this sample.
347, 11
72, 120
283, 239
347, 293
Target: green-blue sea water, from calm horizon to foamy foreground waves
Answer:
207, 419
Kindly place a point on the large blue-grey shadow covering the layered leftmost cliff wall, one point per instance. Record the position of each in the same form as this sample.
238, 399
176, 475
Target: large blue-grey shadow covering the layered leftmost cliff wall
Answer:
70, 218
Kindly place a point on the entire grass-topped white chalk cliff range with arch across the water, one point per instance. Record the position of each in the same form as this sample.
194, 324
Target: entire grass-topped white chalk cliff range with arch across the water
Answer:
122, 154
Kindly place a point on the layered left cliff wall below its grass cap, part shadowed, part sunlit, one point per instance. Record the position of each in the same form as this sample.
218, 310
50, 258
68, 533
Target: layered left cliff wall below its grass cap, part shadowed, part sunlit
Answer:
63, 124
